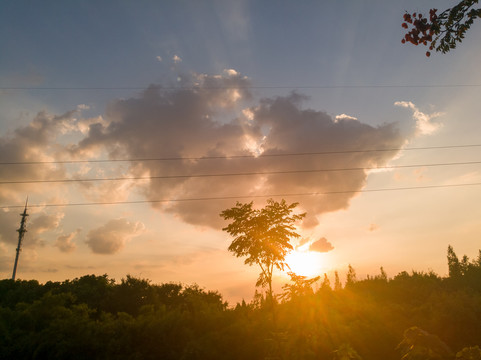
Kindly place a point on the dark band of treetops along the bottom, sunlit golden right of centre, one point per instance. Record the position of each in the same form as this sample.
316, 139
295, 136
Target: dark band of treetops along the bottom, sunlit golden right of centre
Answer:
413, 315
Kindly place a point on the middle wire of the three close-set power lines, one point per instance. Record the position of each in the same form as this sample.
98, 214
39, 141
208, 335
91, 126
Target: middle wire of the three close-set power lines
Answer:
237, 174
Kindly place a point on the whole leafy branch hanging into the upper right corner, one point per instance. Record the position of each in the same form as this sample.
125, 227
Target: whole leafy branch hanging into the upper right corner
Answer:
441, 32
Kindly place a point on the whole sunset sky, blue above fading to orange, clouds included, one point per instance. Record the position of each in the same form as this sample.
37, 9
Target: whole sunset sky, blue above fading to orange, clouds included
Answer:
205, 103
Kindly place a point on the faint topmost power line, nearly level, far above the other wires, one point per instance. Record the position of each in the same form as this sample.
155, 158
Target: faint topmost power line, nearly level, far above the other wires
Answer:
267, 87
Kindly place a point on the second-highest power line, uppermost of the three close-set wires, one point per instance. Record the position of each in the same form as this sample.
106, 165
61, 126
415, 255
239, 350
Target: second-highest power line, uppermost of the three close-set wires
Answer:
236, 156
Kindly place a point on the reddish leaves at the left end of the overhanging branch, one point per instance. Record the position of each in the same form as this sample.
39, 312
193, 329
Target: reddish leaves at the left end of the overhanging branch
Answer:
422, 31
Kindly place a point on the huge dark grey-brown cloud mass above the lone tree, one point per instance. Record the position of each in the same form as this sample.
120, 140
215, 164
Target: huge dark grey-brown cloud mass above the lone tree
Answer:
194, 123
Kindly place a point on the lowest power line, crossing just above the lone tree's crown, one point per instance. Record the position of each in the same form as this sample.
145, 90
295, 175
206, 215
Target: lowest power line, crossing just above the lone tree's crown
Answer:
243, 196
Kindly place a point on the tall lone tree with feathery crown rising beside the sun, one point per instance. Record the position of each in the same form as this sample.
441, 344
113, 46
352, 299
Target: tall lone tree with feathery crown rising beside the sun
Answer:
262, 235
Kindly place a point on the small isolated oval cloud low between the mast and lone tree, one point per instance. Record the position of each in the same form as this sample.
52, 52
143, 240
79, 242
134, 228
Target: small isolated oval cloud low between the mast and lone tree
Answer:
112, 237
